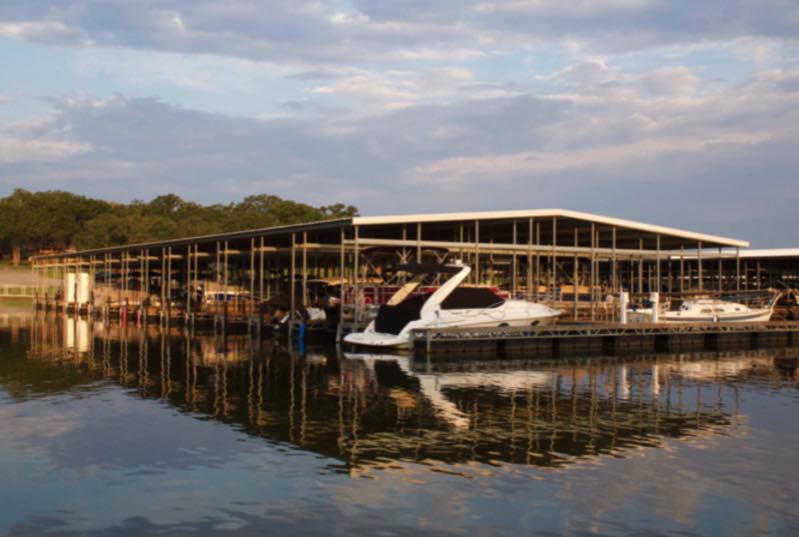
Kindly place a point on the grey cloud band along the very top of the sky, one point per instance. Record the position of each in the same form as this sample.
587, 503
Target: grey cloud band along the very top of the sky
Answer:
313, 32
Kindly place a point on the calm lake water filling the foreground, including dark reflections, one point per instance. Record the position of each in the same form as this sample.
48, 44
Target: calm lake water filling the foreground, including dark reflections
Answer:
107, 431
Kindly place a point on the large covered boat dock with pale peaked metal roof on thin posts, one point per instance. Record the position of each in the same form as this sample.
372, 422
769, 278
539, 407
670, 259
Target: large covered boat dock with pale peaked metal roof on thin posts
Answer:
577, 262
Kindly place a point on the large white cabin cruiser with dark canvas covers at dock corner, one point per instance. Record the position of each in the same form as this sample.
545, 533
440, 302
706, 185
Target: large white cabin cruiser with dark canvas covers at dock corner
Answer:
451, 305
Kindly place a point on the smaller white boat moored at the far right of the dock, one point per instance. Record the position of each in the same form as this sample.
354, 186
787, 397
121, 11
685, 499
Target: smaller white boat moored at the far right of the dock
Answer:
706, 310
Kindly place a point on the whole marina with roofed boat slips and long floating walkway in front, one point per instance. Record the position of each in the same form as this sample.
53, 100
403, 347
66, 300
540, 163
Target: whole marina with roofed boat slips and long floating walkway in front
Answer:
332, 277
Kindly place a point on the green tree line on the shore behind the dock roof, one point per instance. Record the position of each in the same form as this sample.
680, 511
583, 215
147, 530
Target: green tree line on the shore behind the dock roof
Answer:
58, 221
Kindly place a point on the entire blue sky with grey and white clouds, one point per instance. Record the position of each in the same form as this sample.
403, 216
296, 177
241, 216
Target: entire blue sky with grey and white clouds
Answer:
683, 113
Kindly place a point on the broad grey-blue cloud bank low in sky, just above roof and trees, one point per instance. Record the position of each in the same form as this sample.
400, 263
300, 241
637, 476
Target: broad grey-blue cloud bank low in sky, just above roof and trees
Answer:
634, 150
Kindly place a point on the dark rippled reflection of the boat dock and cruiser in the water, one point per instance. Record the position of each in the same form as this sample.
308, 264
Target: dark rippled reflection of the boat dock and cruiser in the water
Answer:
367, 412
